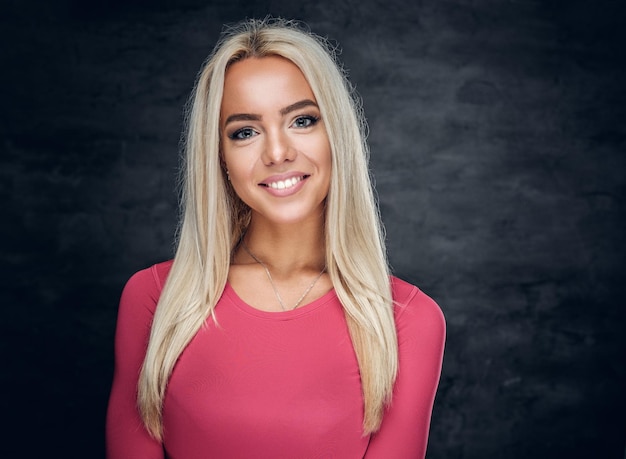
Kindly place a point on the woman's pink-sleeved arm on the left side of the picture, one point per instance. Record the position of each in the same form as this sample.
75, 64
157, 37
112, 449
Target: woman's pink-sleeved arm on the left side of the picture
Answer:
126, 437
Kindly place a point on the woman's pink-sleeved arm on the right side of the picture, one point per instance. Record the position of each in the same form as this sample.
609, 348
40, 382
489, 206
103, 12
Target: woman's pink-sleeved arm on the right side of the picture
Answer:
421, 336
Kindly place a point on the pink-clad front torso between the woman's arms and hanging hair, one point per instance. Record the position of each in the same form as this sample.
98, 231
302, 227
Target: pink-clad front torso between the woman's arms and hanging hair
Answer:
250, 386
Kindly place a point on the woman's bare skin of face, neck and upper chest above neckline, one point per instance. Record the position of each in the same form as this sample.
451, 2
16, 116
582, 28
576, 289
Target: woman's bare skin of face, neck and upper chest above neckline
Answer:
276, 150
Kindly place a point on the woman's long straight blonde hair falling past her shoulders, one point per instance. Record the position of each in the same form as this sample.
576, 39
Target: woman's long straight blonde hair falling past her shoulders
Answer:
214, 219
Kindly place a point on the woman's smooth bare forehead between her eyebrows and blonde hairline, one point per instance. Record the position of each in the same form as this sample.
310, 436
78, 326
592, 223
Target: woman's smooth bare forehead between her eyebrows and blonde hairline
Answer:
264, 83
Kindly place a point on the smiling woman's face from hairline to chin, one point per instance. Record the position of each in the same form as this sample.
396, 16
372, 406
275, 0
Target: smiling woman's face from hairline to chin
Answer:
273, 140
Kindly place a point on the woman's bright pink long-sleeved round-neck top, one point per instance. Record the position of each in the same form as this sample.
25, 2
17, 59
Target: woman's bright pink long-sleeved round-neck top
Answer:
273, 384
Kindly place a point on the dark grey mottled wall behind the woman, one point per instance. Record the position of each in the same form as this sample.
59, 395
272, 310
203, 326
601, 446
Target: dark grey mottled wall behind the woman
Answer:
497, 134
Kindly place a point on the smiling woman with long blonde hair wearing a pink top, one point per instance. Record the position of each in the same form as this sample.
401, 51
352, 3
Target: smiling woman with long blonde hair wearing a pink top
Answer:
277, 331
